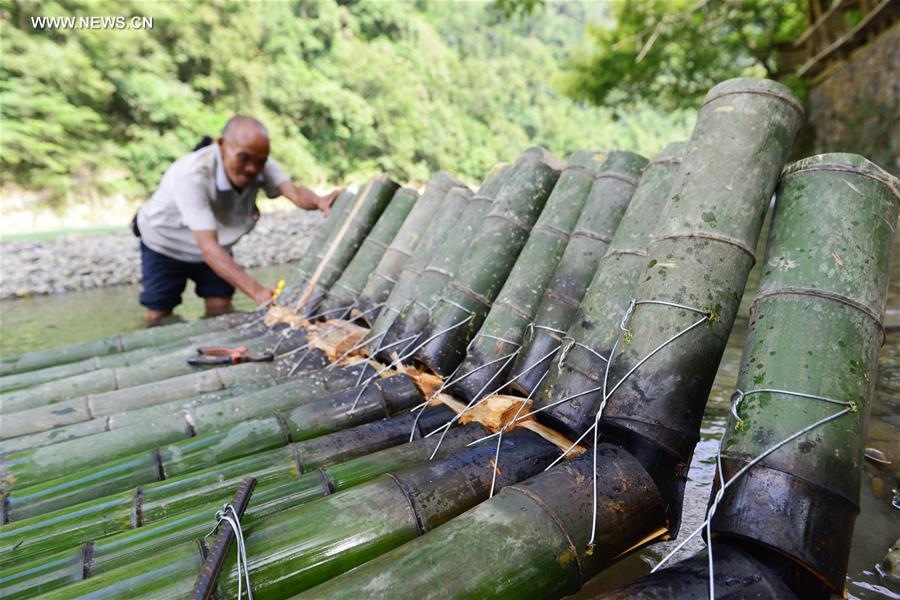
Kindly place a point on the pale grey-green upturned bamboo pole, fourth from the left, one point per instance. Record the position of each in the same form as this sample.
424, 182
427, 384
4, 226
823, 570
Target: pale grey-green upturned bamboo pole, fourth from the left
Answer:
403, 247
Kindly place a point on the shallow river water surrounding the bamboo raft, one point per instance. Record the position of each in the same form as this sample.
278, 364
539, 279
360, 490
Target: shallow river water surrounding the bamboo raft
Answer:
47, 321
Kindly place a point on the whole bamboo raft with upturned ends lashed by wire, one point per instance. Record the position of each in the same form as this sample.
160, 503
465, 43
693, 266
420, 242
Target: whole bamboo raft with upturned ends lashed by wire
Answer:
489, 393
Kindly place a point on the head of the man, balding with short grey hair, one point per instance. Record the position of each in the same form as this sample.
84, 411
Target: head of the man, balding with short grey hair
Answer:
245, 147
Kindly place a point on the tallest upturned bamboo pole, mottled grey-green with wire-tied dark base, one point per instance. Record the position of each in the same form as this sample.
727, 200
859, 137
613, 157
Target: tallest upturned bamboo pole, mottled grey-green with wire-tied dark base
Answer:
710, 227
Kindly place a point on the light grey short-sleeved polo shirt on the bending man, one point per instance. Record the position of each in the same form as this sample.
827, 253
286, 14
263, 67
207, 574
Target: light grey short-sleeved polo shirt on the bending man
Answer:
195, 195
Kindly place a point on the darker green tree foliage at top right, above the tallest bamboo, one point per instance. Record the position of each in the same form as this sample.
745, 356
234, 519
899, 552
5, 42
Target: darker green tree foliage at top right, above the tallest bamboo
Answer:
674, 50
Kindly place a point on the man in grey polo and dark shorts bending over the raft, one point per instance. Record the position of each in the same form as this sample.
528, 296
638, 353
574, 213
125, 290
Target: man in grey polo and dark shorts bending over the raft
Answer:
205, 203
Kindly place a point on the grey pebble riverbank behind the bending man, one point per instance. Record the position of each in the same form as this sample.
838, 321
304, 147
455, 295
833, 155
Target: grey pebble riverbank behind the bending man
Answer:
75, 261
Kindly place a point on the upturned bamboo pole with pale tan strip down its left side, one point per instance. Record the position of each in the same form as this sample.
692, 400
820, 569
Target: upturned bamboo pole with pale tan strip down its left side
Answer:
378, 194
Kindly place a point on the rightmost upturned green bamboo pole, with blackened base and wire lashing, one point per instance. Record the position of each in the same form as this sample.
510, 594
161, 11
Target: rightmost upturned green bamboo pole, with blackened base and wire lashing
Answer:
825, 282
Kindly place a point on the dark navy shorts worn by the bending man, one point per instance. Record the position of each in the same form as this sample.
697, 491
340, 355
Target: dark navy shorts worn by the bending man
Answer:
164, 280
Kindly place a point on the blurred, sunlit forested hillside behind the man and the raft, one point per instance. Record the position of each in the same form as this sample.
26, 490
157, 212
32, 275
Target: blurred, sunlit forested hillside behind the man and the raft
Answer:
346, 88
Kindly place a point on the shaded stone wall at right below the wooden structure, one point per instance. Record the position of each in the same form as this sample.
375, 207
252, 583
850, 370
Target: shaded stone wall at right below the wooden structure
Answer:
856, 107
